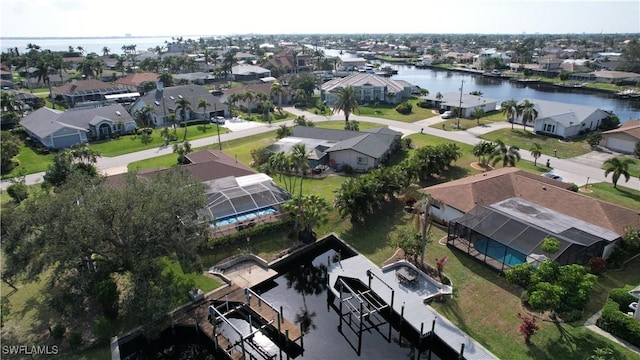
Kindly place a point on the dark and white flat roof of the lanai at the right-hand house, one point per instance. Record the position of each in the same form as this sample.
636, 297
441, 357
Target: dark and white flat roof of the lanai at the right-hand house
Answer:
523, 226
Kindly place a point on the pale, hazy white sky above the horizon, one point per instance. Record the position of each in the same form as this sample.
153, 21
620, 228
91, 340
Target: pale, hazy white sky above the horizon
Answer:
91, 18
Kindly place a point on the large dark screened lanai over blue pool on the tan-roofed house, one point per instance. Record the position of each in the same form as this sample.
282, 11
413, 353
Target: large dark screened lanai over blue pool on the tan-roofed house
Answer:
511, 232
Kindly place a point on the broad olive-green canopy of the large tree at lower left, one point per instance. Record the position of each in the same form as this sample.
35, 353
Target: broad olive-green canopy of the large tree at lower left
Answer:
88, 233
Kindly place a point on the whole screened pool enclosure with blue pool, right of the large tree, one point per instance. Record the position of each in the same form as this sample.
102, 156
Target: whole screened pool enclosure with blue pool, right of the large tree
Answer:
242, 200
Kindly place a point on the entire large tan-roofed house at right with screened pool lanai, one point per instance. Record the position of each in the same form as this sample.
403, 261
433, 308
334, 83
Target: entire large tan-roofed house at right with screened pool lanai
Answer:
501, 217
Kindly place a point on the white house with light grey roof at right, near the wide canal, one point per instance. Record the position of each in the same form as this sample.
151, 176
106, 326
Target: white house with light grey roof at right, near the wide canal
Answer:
564, 120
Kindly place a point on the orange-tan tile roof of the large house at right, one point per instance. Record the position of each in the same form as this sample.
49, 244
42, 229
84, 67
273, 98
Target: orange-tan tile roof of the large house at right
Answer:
497, 185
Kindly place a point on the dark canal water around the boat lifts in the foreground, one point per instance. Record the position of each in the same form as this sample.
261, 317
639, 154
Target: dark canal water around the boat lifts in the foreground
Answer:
302, 292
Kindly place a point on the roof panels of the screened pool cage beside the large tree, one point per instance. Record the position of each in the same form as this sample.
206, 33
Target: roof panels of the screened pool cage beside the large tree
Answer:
230, 196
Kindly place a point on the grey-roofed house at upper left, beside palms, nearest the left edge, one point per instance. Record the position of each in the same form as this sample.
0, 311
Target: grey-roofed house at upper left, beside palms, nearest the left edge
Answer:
62, 129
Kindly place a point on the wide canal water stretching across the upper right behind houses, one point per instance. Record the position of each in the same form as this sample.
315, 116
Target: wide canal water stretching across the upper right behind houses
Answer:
443, 81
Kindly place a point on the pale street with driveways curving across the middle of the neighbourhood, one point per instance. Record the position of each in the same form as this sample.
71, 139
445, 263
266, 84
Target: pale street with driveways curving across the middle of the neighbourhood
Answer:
581, 170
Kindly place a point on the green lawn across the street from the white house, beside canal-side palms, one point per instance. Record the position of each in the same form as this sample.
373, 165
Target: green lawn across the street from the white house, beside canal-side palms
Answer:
523, 139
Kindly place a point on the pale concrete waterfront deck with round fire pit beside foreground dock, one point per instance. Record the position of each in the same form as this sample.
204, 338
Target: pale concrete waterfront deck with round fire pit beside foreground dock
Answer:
412, 298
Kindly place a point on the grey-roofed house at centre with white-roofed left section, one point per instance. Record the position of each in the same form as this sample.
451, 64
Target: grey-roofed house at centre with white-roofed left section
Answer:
362, 150
